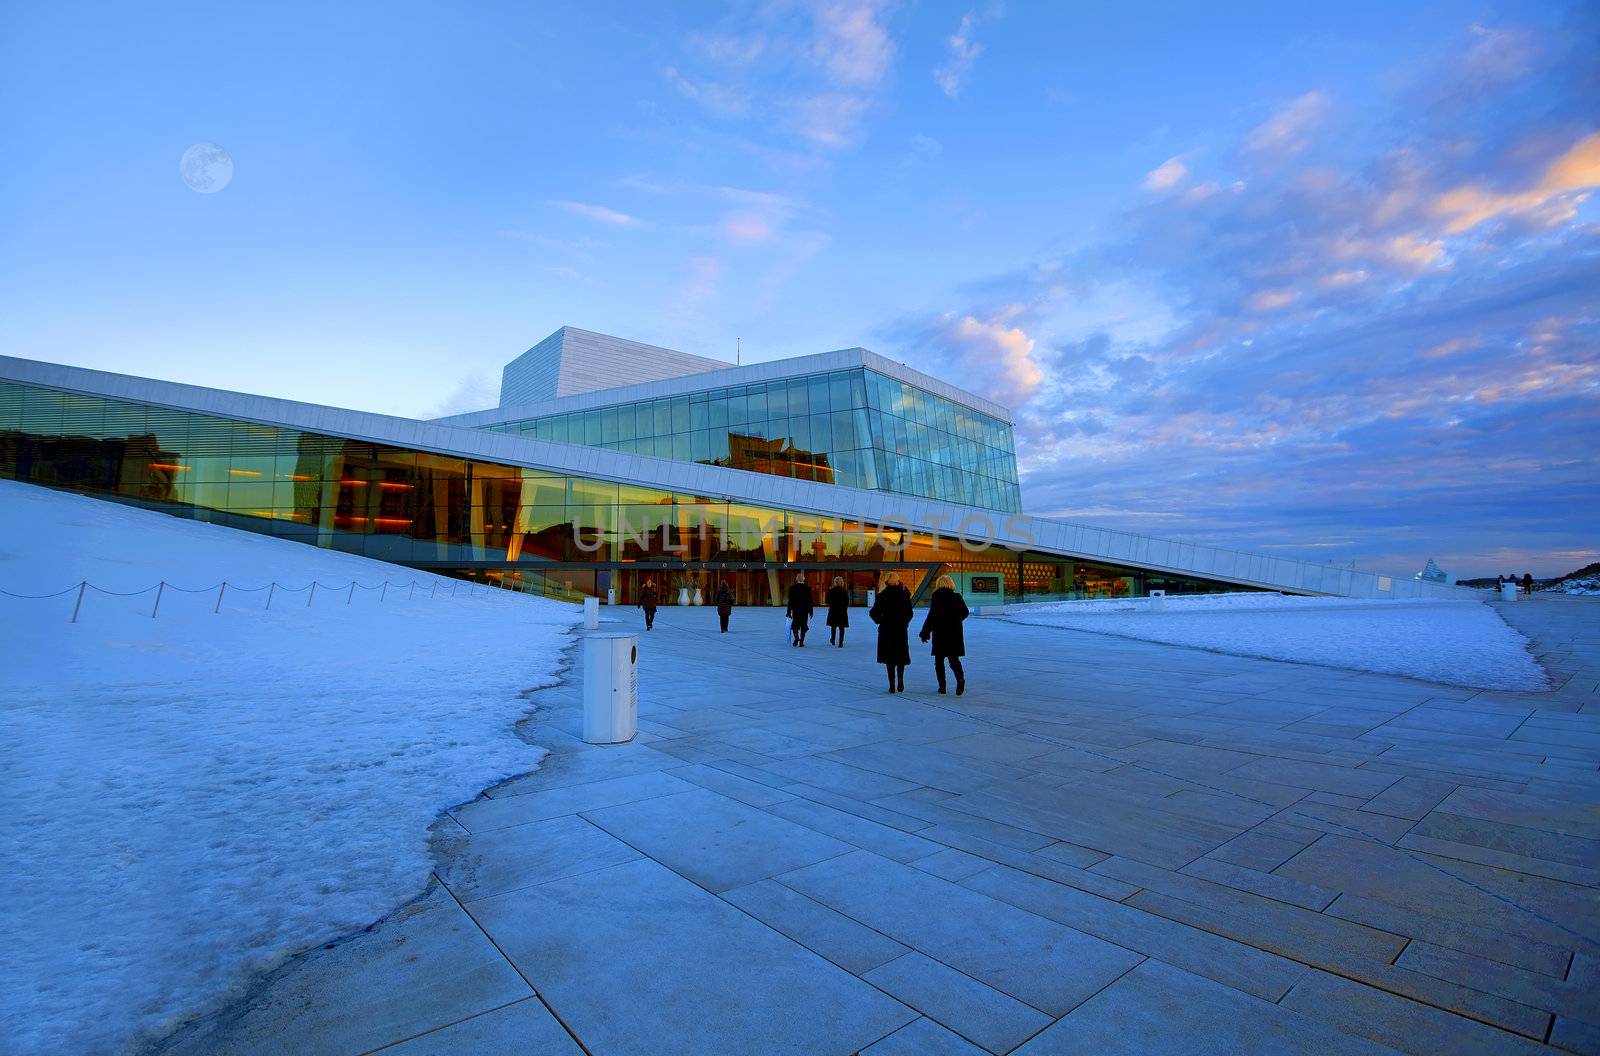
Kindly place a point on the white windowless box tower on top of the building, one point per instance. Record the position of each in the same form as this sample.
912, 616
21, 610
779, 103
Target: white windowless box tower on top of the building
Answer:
575, 361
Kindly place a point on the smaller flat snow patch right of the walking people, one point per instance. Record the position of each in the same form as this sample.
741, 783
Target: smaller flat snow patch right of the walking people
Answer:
1454, 642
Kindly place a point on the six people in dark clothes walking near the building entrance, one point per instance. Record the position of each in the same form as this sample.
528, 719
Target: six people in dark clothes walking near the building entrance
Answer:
892, 612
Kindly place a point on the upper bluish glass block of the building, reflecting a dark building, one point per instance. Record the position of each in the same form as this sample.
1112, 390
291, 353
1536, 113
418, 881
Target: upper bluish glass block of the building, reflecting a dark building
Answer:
857, 428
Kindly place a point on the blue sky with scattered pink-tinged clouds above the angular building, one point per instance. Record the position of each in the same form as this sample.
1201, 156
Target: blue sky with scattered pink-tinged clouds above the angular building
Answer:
1322, 282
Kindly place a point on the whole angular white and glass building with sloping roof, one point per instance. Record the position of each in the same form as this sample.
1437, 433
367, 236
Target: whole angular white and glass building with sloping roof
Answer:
610, 463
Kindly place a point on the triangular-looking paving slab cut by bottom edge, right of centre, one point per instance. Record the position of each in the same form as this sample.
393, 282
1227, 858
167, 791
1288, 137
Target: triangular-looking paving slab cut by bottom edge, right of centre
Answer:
1159, 1009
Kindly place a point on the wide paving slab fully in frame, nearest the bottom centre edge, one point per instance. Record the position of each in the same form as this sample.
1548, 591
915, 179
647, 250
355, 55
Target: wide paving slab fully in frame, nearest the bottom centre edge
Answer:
1034, 961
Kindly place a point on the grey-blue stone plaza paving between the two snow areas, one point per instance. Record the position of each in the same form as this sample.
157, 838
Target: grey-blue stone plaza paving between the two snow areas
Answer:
1103, 847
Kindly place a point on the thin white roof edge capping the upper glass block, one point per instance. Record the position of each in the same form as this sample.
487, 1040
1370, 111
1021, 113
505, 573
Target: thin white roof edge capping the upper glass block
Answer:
721, 378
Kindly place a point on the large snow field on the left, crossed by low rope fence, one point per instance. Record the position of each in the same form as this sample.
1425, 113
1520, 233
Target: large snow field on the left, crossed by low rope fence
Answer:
191, 799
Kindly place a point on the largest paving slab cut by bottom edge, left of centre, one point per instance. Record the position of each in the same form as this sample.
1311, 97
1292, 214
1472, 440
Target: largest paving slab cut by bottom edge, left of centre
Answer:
639, 961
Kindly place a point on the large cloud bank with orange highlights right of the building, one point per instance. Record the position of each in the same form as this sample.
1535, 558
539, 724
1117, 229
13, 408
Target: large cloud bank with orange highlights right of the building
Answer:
1359, 358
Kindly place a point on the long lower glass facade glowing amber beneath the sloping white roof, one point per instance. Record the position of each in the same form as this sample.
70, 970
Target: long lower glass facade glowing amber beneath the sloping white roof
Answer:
534, 529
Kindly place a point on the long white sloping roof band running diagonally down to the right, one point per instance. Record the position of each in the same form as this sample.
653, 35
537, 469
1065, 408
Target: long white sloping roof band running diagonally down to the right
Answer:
1039, 534
